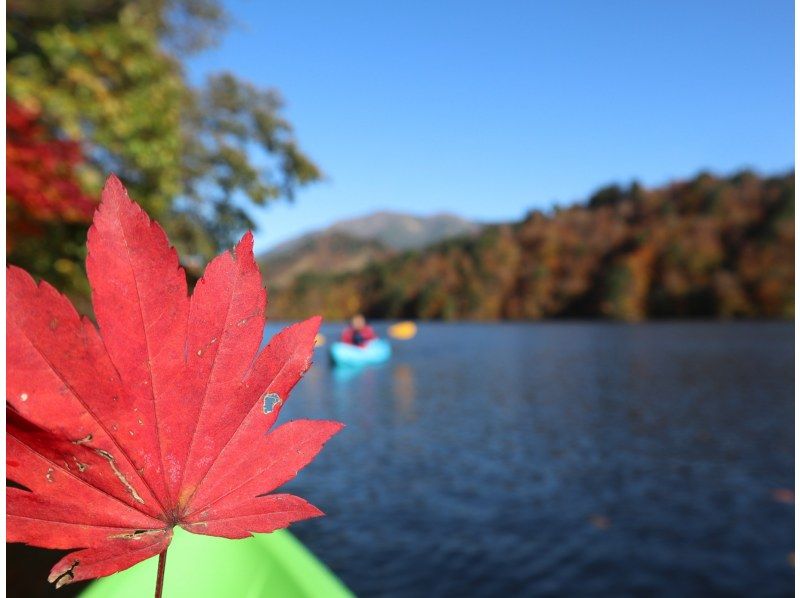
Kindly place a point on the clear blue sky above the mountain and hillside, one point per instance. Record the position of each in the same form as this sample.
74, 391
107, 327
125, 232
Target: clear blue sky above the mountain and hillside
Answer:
488, 109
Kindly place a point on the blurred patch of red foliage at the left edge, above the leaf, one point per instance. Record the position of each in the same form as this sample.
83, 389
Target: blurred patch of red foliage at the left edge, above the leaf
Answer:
40, 170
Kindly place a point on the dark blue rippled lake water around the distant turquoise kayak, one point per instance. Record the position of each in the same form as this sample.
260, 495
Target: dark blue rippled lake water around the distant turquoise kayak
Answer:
558, 459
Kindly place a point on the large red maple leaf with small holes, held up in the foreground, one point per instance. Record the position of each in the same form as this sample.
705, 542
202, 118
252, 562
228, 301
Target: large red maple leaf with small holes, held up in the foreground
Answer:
161, 417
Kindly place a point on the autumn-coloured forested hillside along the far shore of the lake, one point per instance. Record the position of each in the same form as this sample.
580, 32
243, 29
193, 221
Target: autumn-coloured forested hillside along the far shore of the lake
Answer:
707, 247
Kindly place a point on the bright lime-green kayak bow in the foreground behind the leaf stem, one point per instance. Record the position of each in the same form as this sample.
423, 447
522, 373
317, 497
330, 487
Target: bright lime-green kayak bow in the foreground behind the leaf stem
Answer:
267, 565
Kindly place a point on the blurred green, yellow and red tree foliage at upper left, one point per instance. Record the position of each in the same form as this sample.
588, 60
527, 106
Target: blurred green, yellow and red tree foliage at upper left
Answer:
97, 86
